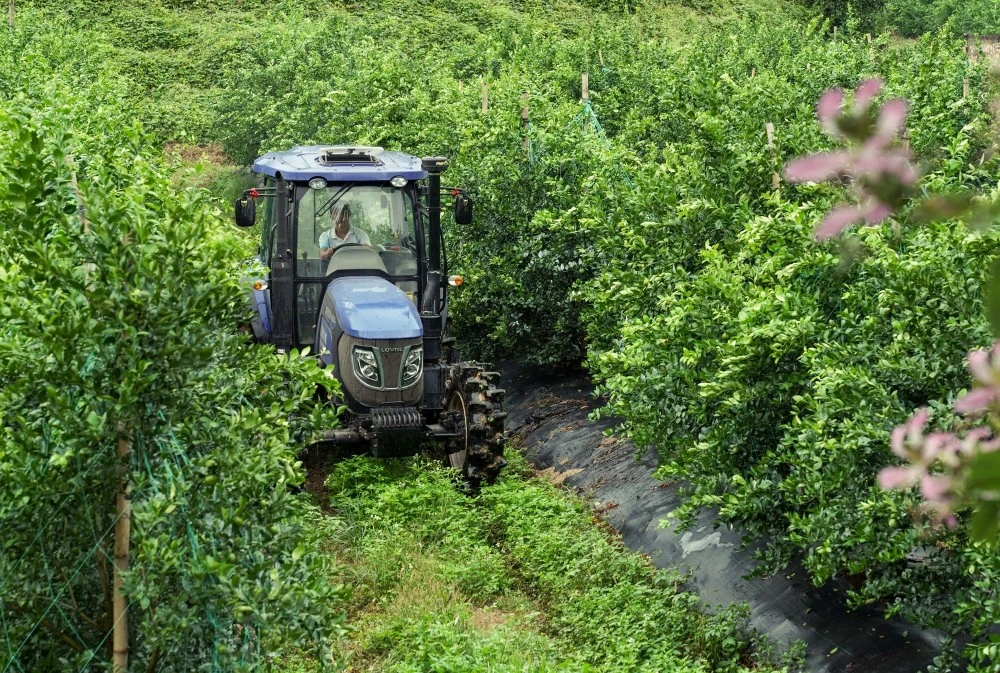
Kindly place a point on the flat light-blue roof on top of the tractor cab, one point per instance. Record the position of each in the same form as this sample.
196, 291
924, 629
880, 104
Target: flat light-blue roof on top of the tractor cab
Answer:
340, 163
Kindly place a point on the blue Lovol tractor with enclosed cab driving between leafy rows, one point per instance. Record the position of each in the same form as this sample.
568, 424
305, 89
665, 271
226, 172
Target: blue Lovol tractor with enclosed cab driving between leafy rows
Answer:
358, 273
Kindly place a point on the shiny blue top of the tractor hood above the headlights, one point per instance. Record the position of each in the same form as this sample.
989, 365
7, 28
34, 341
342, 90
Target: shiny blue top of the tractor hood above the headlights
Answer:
369, 307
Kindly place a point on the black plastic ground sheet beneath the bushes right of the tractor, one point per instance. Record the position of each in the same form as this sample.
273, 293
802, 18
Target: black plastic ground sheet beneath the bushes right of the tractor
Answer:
548, 411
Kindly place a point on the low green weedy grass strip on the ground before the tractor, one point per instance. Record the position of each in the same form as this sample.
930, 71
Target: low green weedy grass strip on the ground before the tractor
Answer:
520, 577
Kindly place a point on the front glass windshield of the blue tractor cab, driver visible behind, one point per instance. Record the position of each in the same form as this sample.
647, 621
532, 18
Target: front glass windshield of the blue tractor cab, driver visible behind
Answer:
379, 218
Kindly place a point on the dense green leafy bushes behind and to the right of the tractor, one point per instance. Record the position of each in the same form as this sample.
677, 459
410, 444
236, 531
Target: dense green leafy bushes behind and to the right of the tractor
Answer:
766, 371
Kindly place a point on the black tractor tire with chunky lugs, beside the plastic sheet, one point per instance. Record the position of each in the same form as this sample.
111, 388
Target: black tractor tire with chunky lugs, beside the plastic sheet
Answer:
478, 454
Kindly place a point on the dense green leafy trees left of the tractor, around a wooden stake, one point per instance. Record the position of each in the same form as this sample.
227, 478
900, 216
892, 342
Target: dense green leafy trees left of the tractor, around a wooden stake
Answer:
119, 329
